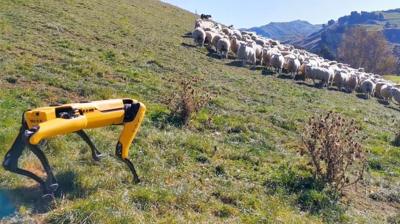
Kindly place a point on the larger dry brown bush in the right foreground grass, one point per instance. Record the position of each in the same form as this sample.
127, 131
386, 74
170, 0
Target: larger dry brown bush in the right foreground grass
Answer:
331, 143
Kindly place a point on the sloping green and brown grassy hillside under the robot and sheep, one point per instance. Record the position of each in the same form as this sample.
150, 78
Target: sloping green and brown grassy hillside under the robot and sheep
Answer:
214, 171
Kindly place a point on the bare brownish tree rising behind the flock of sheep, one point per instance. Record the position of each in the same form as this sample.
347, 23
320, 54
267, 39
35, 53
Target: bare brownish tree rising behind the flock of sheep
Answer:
369, 50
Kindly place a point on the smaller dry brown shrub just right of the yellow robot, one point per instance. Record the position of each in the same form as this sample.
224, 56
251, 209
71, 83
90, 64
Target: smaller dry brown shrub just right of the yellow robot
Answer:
187, 100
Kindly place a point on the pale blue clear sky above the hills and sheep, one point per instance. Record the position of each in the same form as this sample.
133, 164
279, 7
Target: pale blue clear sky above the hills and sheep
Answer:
250, 13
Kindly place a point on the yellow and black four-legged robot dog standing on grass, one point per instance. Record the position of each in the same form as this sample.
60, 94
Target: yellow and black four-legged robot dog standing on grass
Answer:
46, 122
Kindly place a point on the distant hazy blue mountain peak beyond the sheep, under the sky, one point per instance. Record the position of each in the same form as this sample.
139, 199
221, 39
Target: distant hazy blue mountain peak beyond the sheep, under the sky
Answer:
284, 31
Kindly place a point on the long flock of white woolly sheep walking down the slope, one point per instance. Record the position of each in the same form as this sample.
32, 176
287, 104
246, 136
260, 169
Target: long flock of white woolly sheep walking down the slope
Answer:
252, 49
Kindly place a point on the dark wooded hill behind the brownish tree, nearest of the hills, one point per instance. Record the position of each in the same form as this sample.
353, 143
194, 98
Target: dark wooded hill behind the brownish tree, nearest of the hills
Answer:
326, 41
